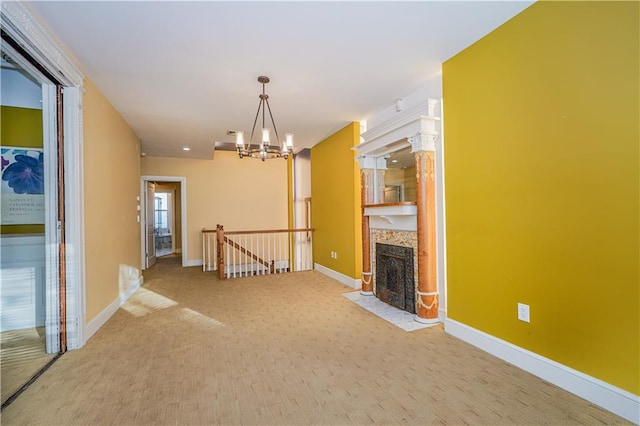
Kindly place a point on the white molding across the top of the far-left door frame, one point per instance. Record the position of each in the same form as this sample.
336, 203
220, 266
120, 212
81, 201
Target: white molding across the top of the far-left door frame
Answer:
20, 24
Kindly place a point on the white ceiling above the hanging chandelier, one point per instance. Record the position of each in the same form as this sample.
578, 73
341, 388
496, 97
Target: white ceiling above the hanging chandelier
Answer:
183, 73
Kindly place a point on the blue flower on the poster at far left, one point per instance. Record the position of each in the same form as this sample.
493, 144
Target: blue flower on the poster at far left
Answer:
26, 174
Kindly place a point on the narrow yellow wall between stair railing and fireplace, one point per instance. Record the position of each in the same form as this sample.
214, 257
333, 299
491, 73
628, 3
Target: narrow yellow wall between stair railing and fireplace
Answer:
335, 202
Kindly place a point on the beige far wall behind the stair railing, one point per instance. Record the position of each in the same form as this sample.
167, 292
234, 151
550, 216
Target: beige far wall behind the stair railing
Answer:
239, 194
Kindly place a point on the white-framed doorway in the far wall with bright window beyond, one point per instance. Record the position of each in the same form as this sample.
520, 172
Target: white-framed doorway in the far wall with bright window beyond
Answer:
163, 218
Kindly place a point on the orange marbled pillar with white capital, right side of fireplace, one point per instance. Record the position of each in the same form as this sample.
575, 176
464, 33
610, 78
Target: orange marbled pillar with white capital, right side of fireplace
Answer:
423, 146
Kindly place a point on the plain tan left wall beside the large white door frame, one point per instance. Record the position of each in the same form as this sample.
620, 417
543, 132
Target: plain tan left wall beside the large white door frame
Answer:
111, 185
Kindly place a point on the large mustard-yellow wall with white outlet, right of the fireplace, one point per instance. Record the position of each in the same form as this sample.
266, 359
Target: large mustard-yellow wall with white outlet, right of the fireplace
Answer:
542, 185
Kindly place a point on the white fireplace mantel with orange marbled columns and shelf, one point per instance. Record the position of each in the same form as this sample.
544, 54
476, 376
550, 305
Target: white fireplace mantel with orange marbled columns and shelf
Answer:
417, 127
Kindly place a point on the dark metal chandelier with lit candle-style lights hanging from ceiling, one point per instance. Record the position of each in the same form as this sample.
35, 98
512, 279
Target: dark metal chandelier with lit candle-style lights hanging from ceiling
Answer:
264, 150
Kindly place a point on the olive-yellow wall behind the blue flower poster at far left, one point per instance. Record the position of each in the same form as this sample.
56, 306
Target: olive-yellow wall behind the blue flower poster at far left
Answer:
21, 127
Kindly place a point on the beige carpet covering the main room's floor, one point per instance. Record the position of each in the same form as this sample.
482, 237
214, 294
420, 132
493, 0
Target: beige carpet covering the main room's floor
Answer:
280, 350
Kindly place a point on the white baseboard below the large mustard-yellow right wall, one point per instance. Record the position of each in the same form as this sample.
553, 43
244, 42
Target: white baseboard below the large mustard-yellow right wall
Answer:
609, 397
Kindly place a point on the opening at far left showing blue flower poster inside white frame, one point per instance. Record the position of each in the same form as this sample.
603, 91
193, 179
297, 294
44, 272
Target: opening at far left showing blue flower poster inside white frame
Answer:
23, 338
